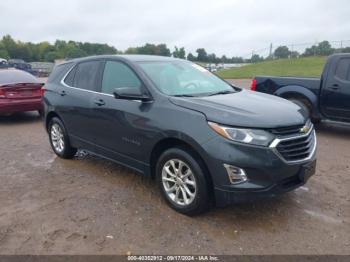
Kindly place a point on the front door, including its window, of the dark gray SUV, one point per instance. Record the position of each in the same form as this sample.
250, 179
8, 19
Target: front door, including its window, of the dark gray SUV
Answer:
122, 131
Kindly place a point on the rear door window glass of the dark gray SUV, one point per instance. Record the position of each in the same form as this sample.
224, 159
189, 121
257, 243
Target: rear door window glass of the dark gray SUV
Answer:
86, 75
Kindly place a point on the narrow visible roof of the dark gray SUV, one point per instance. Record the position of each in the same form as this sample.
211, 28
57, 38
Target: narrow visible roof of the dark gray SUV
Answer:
132, 58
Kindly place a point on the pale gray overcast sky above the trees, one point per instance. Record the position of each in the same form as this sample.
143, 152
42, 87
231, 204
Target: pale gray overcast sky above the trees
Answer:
231, 27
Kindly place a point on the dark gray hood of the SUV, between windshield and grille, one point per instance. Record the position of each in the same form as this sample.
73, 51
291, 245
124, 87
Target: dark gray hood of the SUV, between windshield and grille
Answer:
246, 109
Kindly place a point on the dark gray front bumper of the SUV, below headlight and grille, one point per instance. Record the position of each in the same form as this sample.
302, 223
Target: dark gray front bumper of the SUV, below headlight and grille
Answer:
268, 174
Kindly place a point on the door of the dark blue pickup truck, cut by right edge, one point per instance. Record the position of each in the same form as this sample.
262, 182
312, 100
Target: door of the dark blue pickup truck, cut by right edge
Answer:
335, 98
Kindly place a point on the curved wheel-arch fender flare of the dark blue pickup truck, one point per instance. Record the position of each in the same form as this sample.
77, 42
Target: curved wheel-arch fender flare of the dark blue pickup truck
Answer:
300, 91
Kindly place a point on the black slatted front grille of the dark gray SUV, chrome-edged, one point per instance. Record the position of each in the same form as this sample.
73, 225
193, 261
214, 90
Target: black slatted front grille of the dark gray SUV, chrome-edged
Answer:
298, 148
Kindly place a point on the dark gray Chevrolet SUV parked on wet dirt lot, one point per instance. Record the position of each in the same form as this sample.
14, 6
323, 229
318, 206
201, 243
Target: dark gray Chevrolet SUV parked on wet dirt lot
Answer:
203, 140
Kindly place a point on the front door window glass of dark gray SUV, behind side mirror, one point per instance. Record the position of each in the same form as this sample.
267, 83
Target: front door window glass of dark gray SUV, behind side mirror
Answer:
117, 75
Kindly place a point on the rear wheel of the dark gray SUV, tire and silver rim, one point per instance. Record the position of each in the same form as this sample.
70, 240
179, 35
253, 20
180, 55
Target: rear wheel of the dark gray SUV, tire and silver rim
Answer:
59, 139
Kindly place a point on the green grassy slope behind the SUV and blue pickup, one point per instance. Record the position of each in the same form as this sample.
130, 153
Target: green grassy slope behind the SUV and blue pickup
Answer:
308, 67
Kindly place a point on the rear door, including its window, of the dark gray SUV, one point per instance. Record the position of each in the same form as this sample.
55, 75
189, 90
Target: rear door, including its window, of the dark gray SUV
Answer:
77, 94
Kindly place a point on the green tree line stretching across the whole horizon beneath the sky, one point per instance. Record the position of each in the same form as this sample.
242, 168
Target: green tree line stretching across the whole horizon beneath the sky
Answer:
60, 49
